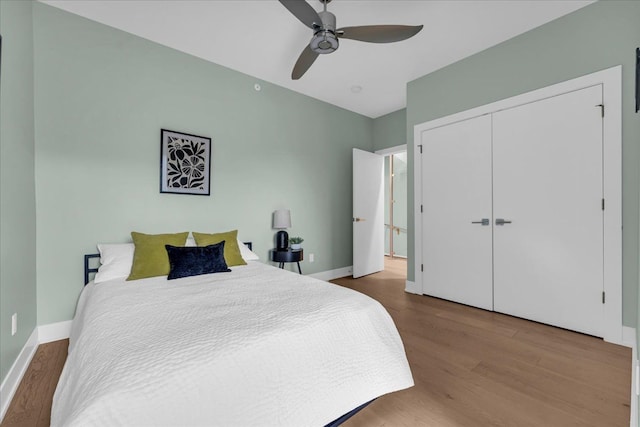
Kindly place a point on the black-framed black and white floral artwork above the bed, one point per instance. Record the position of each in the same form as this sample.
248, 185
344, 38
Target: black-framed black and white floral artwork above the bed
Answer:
185, 163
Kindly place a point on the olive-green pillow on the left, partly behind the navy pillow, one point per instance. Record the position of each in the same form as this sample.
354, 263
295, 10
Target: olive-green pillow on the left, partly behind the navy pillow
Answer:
150, 257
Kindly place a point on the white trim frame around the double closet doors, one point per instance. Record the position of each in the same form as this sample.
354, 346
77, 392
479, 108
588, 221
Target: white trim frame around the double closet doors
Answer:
611, 81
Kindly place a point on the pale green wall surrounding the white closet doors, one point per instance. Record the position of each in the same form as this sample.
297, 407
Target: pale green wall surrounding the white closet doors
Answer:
593, 38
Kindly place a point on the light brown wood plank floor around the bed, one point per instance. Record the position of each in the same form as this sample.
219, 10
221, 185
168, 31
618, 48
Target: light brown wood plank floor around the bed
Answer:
471, 368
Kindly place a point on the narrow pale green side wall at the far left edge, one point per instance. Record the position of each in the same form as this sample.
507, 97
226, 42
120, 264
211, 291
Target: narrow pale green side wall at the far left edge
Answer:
17, 188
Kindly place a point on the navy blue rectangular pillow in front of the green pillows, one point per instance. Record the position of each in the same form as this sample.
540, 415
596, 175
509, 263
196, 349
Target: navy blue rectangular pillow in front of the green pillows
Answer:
194, 261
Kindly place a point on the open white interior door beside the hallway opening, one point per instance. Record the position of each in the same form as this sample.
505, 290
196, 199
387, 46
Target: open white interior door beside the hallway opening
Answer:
368, 213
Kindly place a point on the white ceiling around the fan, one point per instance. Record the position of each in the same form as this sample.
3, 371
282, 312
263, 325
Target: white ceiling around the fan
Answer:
261, 38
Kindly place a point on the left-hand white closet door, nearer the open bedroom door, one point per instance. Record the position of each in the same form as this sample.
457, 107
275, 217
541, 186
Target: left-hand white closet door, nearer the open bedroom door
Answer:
456, 191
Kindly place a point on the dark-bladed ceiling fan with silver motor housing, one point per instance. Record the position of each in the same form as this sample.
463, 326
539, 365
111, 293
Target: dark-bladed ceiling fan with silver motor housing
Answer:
325, 35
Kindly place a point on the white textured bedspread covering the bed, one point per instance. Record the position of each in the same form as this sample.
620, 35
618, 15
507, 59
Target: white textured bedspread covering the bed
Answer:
256, 347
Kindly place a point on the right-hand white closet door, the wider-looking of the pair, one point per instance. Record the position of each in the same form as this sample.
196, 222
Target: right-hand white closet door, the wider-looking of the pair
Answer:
548, 262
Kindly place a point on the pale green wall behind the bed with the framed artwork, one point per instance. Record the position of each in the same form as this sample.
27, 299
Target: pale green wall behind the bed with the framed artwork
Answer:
101, 98
